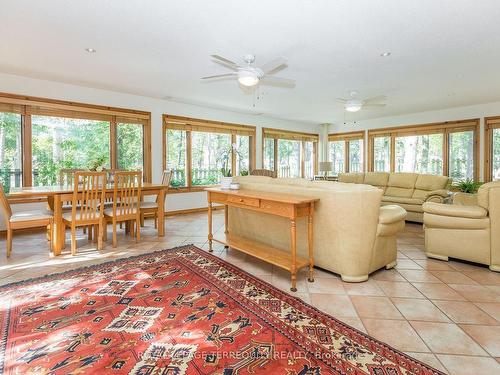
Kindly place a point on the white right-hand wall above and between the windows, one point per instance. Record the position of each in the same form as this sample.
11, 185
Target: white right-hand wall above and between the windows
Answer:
458, 113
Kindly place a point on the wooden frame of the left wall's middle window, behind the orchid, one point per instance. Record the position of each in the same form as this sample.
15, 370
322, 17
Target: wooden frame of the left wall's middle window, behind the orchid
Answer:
189, 125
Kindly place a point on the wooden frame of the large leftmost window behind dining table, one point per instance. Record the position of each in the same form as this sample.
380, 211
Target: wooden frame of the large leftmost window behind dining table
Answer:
27, 106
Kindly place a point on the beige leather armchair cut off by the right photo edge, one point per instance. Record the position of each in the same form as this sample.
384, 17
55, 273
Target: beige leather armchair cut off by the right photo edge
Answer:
466, 232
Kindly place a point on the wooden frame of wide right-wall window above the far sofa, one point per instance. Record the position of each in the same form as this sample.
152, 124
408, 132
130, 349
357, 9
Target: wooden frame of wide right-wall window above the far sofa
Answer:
445, 128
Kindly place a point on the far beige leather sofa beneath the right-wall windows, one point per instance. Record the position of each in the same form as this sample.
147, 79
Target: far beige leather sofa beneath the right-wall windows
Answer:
407, 190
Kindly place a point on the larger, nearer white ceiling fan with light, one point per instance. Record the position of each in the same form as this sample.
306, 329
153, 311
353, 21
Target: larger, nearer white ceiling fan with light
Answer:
250, 75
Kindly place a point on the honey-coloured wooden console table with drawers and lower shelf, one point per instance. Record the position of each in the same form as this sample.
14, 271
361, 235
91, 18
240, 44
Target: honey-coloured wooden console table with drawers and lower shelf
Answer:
284, 205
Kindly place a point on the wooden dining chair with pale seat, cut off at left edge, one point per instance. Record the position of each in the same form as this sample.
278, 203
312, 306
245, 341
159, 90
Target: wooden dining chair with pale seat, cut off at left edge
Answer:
26, 219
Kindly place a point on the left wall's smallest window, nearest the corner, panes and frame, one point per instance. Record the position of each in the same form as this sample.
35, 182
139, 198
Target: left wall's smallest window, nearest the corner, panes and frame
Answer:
291, 154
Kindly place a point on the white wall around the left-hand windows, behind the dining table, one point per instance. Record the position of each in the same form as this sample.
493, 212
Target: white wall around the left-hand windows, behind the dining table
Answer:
54, 90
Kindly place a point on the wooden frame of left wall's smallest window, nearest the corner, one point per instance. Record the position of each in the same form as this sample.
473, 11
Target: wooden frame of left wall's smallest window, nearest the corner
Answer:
277, 134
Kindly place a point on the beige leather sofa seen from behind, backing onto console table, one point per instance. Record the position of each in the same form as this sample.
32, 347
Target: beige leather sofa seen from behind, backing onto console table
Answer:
353, 235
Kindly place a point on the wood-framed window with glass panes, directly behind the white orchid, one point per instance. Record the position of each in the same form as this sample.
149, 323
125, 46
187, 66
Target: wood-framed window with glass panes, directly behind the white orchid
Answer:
200, 152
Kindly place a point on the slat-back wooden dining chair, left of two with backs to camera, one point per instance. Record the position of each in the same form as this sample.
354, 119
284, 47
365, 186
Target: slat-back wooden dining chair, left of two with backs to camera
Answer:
86, 208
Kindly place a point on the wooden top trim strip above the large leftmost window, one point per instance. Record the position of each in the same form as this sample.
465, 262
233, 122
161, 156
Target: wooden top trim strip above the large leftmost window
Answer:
63, 105
